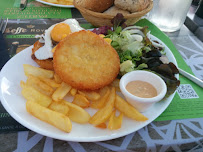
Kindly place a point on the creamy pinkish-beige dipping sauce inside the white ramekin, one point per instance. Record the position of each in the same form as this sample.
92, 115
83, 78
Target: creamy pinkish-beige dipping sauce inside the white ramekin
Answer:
141, 89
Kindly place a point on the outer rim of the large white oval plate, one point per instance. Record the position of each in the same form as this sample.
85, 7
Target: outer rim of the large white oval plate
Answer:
76, 139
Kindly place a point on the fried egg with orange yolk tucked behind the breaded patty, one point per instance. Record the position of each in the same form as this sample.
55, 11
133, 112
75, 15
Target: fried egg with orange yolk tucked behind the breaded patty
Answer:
56, 33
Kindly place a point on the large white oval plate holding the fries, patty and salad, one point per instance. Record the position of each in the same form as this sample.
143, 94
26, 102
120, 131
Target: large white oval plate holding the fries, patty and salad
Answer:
12, 100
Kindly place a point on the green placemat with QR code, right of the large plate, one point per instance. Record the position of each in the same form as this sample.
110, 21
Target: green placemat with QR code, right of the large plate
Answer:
181, 107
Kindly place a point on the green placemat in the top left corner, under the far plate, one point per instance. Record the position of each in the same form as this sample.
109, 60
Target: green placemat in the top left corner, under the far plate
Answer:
34, 10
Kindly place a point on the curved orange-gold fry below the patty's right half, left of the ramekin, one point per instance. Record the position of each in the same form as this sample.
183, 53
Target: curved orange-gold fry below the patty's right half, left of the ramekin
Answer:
98, 104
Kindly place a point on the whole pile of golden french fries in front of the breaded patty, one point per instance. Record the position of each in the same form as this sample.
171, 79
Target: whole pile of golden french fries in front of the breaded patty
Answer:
45, 93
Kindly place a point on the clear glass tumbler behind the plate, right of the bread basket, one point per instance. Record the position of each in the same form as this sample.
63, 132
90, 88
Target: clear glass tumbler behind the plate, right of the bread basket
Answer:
169, 15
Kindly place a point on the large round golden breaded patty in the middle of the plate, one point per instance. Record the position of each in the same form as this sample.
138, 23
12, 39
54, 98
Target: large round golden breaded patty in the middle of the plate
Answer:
86, 61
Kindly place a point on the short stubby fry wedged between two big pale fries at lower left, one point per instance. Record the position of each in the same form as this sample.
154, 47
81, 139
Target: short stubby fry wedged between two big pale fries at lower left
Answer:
59, 107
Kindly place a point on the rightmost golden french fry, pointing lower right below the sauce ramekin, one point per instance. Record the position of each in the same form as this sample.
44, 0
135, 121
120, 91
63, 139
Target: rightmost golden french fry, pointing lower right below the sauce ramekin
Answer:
128, 110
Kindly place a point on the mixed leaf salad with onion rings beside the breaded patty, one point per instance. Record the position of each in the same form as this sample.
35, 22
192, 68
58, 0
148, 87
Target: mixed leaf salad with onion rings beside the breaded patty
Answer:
137, 51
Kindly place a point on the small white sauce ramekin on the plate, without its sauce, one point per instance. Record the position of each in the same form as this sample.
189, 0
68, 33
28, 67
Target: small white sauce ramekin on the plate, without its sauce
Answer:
143, 104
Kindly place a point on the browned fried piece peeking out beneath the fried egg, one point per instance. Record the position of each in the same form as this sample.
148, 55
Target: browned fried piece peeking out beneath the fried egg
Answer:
45, 64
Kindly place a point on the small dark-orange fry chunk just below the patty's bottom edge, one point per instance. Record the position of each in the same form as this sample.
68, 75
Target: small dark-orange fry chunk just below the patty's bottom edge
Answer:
81, 101
